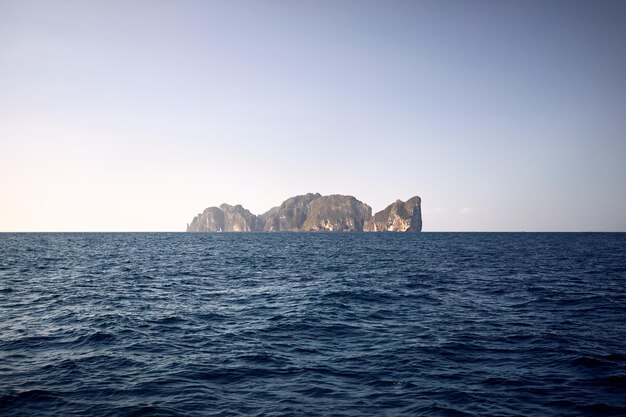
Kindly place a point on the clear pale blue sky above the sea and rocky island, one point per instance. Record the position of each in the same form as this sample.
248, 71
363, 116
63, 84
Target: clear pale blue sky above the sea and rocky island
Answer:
135, 116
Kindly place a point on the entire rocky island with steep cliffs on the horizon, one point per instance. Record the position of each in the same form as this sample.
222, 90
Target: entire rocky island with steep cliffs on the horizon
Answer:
313, 212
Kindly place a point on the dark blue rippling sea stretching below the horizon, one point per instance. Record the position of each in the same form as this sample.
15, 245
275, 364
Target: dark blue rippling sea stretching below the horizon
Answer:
304, 324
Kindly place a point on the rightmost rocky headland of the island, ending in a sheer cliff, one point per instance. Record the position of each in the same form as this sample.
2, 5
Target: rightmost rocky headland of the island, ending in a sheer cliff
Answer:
397, 217
